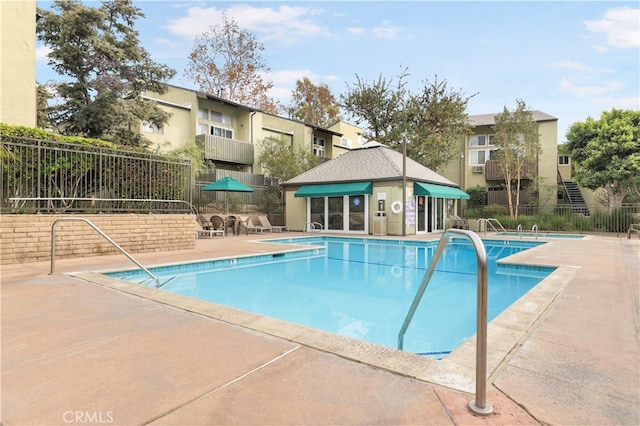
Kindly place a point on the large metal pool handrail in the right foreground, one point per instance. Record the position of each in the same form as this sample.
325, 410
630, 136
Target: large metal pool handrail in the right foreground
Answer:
479, 405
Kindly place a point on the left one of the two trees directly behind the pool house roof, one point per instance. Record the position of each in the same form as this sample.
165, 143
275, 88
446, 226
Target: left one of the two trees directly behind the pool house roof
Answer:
379, 104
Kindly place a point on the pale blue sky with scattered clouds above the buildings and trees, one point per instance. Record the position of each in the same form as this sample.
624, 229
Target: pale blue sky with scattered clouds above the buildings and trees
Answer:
571, 60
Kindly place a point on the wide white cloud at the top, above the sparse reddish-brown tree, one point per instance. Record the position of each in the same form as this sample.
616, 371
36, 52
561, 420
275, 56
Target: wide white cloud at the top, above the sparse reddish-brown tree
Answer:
285, 23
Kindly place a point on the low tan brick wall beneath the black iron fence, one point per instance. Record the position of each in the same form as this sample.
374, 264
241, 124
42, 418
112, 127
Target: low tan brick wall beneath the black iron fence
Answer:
27, 238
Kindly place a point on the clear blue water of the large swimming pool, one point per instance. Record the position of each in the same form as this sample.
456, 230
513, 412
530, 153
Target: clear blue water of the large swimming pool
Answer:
362, 288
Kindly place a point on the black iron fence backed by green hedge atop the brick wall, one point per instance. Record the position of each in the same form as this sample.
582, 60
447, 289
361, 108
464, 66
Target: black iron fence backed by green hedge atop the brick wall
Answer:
40, 176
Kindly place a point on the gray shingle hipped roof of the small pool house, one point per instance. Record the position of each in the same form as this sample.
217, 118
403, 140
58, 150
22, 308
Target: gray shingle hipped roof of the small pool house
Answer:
376, 163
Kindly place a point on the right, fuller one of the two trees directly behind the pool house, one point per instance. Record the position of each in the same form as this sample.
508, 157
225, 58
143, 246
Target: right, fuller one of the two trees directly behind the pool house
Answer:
436, 121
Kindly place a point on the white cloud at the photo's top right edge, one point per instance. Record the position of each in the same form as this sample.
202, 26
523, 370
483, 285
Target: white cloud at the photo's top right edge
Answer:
621, 27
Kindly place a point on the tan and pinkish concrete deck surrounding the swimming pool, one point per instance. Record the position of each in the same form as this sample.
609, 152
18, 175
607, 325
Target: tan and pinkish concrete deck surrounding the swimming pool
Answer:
91, 352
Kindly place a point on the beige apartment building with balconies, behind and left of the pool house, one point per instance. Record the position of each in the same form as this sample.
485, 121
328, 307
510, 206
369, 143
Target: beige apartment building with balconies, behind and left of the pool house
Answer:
231, 133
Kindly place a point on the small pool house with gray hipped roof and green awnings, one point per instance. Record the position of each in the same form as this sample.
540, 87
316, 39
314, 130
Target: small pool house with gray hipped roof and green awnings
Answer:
372, 190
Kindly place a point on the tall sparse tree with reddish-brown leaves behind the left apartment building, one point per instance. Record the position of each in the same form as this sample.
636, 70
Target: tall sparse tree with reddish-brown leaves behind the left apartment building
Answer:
226, 61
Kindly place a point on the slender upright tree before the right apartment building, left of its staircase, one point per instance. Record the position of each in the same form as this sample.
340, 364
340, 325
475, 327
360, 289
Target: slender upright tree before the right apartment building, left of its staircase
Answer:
518, 143
